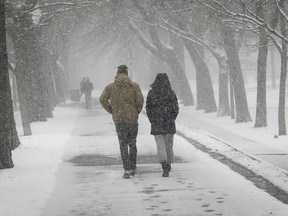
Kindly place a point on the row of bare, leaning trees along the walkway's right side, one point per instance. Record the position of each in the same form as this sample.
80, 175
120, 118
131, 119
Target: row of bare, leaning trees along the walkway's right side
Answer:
165, 28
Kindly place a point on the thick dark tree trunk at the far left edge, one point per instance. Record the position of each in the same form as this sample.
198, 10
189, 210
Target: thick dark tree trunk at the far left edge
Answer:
6, 105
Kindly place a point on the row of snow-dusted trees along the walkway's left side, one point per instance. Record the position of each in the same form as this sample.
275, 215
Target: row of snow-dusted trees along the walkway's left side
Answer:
40, 51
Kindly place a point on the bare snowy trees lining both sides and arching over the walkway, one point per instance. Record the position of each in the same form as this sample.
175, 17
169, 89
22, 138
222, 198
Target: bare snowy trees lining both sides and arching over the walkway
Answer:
43, 32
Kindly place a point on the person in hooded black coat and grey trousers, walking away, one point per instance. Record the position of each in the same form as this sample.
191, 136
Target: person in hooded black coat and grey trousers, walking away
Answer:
162, 109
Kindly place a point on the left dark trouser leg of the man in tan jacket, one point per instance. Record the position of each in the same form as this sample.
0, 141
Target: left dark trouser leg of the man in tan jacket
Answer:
122, 137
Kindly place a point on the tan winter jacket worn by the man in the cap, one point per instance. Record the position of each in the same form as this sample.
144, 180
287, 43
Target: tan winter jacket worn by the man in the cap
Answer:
123, 99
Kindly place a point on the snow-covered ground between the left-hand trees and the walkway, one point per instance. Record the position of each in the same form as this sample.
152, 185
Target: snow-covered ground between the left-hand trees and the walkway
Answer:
25, 188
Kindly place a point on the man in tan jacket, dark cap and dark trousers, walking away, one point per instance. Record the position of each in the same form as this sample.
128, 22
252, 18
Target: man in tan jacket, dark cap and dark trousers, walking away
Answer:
124, 100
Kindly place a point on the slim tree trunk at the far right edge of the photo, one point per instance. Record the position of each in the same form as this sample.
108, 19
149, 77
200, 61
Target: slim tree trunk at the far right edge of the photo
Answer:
282, 88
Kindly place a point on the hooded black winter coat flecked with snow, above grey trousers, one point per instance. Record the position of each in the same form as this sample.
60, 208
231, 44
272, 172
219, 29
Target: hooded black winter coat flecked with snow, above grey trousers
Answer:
162, 106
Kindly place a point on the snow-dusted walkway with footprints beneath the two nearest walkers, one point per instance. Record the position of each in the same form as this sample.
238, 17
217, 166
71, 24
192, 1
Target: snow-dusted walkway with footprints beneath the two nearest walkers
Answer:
89, 180
